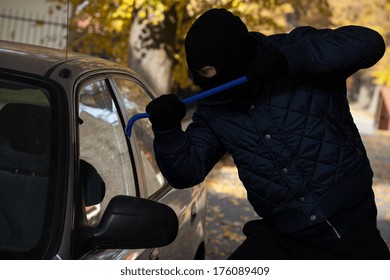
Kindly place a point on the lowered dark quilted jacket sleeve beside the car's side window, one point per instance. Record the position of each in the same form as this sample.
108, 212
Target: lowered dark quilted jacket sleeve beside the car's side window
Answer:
185, 158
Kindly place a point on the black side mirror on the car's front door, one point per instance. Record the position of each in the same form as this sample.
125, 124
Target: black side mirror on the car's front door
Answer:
134, 223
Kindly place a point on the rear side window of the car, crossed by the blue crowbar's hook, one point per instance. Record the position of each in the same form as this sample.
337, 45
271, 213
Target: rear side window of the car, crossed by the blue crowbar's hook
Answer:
135, 99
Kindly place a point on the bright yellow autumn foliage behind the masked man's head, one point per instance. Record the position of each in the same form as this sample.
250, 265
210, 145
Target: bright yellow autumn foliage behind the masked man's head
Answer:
109, 22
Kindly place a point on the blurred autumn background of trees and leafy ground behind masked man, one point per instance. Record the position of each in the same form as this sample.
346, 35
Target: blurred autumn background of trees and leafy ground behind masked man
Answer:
148, 36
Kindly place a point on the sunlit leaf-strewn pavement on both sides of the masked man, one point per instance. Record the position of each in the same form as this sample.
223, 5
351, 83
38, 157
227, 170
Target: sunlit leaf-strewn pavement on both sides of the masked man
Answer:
228, 208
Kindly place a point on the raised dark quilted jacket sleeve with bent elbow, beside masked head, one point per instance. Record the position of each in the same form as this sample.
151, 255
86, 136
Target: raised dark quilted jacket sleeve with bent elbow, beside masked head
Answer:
344, 50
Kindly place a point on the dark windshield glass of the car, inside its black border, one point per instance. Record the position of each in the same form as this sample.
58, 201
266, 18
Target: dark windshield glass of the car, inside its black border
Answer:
25, 152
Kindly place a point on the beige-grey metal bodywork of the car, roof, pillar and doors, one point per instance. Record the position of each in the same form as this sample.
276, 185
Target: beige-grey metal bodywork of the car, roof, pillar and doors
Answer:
68, 72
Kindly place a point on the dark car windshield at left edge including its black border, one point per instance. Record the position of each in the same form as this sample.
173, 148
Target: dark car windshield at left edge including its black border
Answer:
30, 207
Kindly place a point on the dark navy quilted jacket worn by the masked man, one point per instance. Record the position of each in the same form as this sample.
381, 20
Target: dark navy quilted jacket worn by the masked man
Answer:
296, 148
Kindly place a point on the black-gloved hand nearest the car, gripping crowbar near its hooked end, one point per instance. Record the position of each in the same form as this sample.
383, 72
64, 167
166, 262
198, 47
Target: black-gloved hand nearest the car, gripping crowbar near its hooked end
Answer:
166, 112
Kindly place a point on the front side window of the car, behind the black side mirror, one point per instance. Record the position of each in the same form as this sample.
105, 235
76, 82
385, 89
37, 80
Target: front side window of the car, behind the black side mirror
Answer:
105, 165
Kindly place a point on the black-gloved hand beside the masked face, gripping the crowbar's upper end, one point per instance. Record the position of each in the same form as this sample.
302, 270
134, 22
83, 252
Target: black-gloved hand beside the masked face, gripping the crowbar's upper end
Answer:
267, 67
